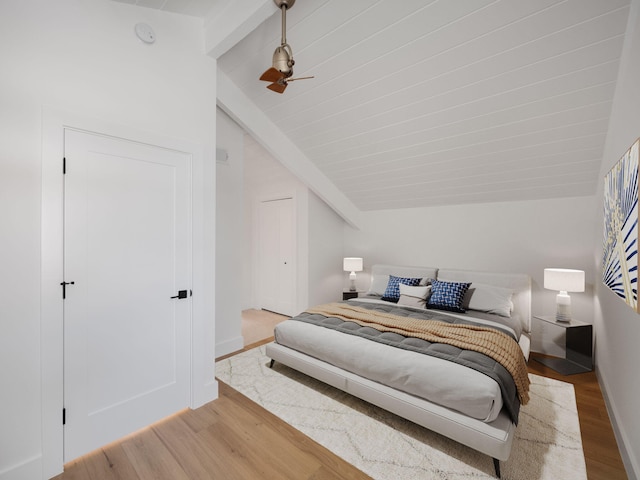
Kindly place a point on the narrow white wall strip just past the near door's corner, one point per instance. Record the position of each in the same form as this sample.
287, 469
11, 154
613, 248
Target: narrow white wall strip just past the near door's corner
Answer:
229, 232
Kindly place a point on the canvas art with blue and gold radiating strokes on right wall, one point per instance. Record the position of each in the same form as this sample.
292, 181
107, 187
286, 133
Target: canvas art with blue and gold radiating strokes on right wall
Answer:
620, 245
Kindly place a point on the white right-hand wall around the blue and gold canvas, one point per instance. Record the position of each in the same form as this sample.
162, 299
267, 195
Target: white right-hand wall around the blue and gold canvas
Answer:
617, 326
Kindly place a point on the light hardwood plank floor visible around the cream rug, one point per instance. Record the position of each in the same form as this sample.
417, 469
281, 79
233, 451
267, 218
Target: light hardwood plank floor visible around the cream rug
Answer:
234, 438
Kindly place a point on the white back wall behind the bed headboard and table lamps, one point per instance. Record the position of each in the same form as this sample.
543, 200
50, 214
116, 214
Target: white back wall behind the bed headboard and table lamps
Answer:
515, 237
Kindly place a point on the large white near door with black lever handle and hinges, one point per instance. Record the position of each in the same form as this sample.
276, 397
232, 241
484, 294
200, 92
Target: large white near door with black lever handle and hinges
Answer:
126, 253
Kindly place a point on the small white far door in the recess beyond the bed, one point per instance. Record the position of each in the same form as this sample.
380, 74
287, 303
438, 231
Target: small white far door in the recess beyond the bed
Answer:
277, 256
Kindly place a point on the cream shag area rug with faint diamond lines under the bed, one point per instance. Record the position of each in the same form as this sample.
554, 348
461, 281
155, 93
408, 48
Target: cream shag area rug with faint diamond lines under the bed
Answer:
547, 444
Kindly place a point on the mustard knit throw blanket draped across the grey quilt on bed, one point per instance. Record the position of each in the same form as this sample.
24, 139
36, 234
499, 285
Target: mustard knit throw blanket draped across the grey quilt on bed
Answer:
493, 343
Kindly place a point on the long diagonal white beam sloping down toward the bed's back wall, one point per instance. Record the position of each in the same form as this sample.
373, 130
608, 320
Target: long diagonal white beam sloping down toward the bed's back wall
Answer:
244, 112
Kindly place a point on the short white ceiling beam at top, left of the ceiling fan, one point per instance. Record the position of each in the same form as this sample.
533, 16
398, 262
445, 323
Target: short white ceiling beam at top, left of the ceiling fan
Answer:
227, 26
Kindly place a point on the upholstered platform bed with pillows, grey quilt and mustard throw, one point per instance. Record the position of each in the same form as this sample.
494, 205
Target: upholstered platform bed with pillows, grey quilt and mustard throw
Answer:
456, 389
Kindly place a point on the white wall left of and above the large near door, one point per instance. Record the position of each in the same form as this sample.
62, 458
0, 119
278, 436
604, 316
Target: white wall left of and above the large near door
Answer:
81, 57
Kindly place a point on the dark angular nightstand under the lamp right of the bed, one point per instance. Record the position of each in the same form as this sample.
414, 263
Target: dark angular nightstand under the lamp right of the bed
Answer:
578, 347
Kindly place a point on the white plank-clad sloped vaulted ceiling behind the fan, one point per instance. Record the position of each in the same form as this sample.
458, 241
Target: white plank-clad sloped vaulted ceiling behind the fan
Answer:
426, 102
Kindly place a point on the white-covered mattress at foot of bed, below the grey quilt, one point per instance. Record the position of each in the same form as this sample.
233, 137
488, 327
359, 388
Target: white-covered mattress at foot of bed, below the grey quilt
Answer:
446, 383
